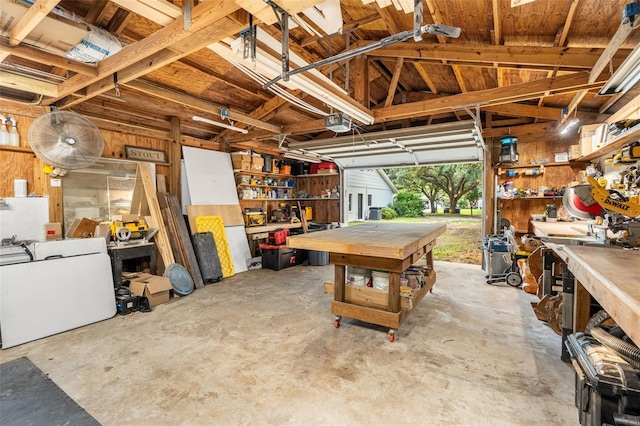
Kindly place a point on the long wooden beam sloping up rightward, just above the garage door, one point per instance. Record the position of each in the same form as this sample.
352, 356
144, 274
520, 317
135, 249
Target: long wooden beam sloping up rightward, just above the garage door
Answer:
501, 95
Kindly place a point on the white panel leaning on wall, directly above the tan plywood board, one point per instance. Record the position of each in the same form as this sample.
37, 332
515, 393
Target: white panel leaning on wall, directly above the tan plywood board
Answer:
210, 177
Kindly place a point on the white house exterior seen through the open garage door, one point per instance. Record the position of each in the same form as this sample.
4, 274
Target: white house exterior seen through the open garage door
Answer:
364, 189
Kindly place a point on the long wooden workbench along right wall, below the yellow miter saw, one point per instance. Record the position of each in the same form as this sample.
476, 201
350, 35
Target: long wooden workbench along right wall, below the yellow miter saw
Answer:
612, 277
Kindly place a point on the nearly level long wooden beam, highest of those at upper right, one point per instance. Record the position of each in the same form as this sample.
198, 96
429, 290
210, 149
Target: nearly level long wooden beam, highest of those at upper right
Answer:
576, 58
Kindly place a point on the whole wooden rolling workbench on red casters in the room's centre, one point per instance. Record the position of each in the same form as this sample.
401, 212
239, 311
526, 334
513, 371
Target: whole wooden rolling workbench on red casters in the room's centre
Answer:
391, 247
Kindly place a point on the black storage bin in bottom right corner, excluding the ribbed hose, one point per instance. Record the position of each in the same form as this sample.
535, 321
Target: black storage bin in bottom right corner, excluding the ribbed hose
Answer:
606, 385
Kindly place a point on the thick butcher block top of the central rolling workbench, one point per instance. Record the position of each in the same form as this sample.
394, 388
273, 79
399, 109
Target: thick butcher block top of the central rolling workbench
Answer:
388, 240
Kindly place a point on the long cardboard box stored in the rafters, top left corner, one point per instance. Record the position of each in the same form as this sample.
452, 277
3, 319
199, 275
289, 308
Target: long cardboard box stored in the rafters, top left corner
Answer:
54, 33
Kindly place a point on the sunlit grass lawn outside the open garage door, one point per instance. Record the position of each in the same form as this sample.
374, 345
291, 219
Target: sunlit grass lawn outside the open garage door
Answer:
461, 242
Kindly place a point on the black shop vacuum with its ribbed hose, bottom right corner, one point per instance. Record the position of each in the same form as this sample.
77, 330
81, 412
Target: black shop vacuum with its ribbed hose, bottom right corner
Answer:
607, 377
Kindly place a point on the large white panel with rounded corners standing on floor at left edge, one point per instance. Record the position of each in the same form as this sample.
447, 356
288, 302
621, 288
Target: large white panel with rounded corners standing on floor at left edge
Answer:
42, 298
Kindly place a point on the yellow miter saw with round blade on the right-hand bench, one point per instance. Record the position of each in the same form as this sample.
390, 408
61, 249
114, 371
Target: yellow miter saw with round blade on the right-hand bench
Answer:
594, 200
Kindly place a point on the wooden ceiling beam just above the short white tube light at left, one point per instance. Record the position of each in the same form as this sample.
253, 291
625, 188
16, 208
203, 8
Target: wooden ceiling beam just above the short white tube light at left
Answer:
198, 104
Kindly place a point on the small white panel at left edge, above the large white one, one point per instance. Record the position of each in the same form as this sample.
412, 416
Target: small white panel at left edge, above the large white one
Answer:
24, 218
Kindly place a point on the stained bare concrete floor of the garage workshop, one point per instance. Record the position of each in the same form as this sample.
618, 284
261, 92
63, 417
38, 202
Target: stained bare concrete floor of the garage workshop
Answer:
261, 348
